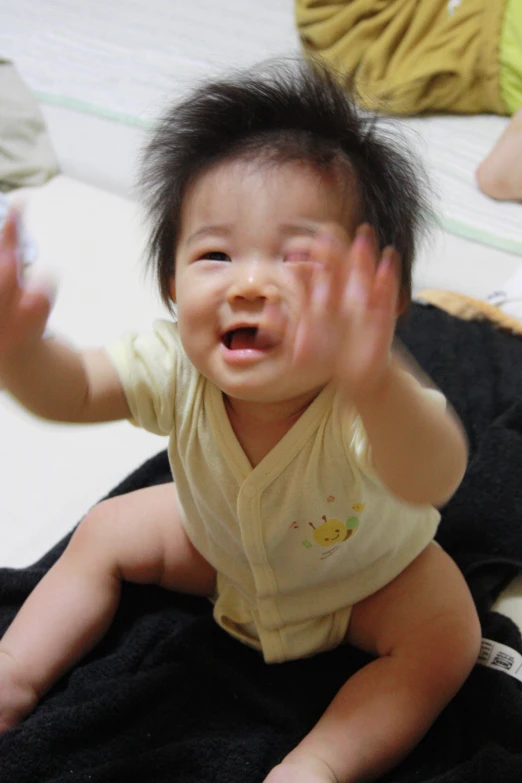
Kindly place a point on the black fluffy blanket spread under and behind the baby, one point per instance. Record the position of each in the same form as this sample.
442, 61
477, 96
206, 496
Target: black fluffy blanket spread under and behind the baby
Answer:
168, 697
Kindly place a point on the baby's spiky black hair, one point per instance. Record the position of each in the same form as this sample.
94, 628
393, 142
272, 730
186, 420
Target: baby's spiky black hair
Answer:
285, 111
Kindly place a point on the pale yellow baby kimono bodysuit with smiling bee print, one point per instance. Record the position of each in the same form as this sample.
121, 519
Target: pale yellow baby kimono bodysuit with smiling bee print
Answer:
296, 540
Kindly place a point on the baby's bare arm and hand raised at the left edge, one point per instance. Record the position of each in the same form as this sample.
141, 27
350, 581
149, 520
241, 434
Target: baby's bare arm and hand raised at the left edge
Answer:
47, 376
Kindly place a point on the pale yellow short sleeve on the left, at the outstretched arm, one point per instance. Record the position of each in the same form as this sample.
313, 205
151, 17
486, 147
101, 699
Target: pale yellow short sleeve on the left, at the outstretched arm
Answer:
147, 367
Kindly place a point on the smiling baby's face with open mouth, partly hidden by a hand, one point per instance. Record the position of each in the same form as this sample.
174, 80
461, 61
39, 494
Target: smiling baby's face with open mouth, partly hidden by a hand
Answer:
246, 229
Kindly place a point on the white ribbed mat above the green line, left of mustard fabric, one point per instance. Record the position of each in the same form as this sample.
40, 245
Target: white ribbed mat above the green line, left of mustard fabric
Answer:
124, 58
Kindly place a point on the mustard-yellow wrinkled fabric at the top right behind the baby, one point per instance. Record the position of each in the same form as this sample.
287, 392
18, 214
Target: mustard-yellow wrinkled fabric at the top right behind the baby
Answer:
407, 56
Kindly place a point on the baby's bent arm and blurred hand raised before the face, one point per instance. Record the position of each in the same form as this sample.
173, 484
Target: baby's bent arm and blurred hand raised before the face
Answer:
348, 322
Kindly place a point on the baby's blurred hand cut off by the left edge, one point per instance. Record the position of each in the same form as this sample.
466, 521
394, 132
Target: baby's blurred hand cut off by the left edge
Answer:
24, 309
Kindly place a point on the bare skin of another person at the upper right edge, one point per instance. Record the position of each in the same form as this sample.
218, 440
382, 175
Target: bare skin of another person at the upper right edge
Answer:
500, 174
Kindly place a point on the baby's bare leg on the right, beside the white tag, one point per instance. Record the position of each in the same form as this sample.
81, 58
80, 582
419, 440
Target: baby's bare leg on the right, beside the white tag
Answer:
425, 630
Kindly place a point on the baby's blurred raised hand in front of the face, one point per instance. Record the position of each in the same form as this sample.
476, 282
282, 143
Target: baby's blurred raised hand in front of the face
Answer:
350, 308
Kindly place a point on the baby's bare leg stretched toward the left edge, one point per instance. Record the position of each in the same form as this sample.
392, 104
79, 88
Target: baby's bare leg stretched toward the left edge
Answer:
136, 537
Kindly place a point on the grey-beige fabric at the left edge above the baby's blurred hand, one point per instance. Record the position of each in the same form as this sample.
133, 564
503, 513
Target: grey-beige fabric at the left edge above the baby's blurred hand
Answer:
26, 155
